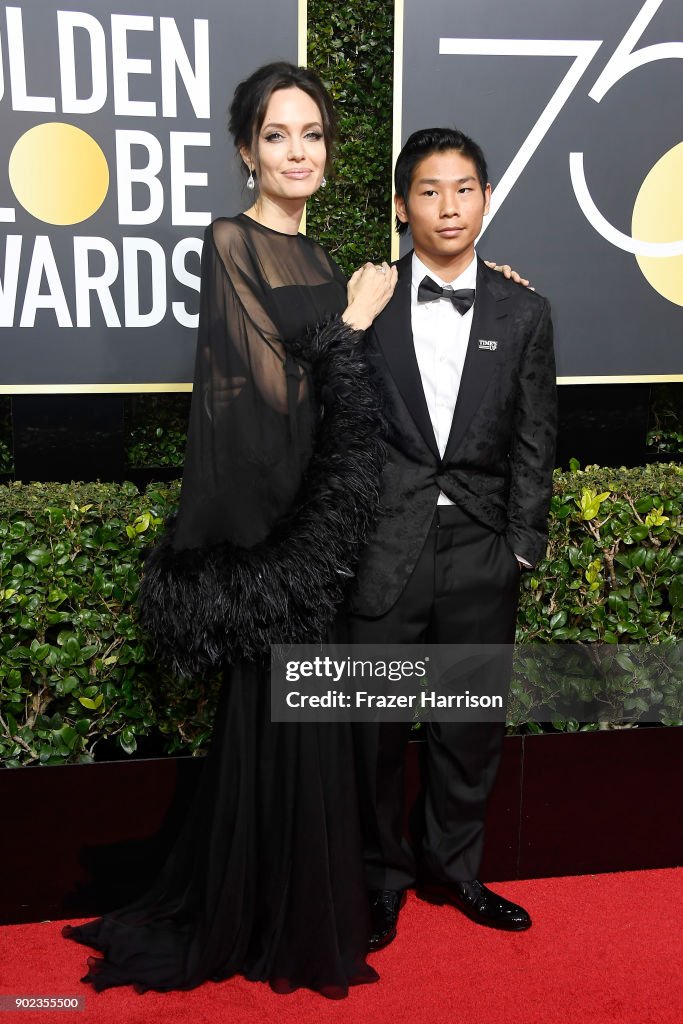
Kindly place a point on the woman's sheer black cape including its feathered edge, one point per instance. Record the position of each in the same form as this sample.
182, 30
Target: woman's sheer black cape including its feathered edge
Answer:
284, 454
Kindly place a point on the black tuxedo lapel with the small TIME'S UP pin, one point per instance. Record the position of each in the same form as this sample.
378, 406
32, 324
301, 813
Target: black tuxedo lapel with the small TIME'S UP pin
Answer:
481, 360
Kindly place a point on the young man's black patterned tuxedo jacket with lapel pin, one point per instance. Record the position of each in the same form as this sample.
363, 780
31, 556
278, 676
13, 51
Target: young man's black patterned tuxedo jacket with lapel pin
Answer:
499, 459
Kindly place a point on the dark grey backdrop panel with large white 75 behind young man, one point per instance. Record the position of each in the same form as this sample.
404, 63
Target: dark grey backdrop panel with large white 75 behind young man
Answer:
579, 109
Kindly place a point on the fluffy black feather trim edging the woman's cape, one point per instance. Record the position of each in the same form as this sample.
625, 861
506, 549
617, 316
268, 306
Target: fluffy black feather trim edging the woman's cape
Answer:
204, 607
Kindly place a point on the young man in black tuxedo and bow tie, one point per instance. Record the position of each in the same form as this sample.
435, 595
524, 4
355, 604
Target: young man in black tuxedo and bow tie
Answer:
466, 361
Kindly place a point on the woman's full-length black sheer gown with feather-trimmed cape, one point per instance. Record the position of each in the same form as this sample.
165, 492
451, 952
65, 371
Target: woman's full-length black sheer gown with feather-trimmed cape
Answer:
280, 490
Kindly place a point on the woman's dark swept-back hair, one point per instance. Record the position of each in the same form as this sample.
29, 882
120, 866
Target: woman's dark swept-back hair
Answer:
252, 97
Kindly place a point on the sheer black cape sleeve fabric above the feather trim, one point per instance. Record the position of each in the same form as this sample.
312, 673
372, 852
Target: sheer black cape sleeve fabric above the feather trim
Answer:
251, 418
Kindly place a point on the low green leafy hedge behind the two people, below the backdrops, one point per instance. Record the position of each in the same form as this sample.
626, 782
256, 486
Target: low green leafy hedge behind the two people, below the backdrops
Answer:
76, 673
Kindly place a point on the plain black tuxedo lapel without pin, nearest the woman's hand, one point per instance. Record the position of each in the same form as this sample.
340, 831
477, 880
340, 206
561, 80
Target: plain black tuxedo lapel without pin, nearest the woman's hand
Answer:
395, 335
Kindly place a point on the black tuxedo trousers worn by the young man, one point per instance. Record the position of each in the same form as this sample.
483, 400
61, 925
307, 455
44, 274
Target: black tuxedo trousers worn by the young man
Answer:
464, 589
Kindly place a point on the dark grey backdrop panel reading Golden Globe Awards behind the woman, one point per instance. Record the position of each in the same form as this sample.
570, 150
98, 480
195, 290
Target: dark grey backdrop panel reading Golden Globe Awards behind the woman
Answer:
115, 157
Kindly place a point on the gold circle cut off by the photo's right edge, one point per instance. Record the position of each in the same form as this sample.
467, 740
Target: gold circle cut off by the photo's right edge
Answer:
658, 217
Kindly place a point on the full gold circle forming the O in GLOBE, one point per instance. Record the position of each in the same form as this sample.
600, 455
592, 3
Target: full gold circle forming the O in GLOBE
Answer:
59, 174
